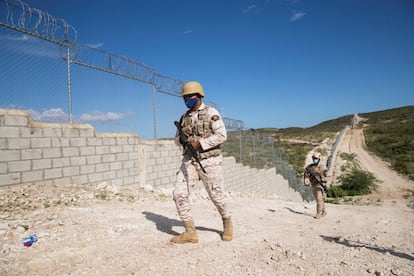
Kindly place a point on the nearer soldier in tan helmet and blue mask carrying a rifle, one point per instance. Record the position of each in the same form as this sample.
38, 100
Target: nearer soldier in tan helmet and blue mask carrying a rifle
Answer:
205, 130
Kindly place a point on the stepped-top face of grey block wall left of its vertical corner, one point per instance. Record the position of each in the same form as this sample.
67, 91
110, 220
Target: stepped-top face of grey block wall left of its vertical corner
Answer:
32, 153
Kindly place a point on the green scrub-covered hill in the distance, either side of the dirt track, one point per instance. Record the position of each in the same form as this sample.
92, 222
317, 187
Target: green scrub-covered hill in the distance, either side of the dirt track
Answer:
389, 134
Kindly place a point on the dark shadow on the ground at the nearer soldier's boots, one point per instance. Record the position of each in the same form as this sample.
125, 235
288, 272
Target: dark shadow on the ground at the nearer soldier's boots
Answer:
165, 224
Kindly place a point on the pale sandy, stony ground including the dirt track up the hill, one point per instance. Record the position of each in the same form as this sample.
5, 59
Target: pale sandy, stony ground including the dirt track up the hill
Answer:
103, 231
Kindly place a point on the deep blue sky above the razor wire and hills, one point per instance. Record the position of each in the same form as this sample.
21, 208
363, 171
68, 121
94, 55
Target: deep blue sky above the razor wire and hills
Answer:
269, 63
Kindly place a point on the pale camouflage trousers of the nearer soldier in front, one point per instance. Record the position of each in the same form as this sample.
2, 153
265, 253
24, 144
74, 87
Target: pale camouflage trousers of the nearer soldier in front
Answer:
190, 174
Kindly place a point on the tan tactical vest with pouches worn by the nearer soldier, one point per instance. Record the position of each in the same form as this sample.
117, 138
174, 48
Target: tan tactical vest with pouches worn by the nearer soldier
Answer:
201, 128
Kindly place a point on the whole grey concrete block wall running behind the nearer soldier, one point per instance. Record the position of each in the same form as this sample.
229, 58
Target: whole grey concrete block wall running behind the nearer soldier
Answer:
34, 153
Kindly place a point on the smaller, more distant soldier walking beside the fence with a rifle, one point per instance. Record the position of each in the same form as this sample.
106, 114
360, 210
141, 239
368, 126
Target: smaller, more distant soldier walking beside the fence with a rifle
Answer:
316, 173
